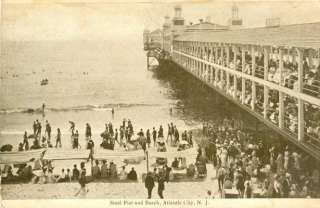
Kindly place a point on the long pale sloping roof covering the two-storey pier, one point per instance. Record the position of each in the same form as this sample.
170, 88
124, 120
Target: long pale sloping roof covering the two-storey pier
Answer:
298, 35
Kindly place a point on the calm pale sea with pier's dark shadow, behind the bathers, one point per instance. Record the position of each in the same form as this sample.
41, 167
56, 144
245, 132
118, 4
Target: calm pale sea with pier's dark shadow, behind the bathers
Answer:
89, 78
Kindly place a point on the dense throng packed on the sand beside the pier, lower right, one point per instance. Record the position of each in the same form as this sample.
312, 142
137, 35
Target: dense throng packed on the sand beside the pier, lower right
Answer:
255, 169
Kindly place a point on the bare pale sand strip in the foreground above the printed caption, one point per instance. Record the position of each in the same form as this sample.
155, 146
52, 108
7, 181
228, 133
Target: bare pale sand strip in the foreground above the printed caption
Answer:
102, 190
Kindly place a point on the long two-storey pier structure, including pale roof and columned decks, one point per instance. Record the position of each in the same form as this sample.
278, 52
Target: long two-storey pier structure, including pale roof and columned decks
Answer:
271, 72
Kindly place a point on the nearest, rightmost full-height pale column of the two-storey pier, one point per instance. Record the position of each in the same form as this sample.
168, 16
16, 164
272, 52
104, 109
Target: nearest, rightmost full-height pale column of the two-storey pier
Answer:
300, 101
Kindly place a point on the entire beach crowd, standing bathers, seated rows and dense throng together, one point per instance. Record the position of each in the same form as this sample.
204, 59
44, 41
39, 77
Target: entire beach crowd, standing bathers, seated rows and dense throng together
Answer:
242, 161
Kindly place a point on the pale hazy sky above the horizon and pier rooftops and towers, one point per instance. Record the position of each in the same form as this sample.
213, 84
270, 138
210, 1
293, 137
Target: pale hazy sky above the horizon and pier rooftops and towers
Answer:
31, 20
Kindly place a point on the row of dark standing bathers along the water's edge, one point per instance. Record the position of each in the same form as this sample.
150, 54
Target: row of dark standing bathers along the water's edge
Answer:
123, 136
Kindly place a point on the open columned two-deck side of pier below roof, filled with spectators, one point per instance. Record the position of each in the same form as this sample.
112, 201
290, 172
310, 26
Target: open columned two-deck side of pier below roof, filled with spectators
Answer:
280, 75
